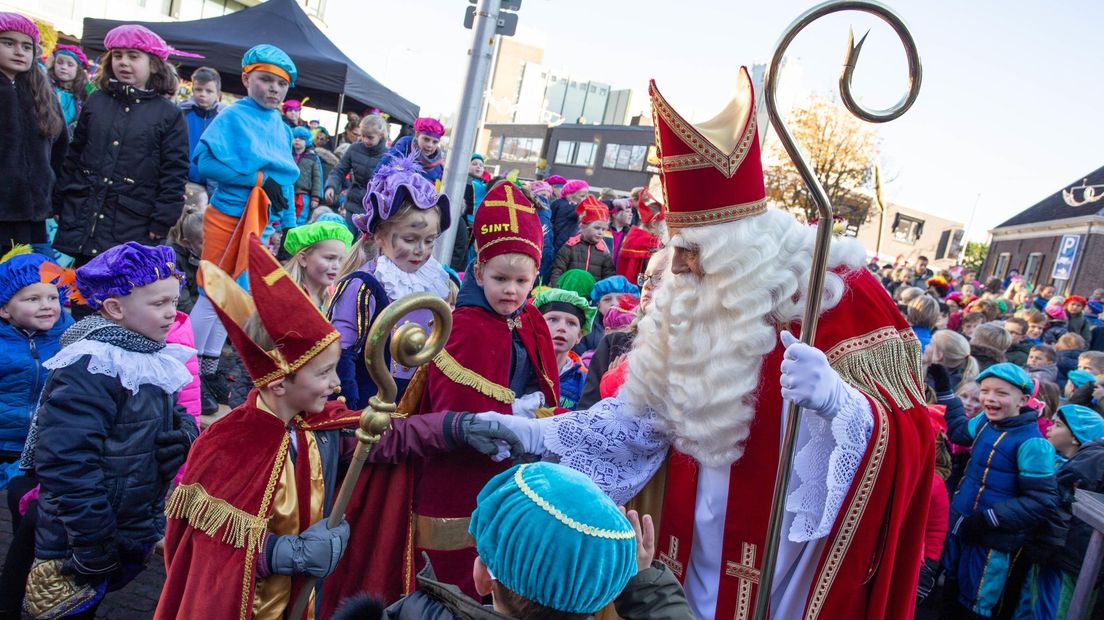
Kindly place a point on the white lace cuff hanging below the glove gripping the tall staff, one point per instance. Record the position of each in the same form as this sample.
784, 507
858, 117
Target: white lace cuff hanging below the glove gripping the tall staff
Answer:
831, 451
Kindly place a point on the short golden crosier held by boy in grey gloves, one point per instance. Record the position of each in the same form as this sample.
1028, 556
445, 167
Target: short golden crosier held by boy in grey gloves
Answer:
410, 347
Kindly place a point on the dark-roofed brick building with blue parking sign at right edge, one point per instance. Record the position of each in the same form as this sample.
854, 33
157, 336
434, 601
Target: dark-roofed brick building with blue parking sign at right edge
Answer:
1067, 228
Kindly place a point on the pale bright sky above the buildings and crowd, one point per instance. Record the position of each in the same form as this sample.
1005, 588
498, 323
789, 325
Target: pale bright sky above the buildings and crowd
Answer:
1011, 105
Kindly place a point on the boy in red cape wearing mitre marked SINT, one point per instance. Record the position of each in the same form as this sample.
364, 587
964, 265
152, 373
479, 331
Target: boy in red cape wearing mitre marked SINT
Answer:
500, 351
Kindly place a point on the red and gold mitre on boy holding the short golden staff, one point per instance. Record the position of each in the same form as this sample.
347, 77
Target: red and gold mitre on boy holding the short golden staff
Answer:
298, 328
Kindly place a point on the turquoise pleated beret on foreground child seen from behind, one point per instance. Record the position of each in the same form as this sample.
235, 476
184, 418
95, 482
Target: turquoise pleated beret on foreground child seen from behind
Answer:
548, 533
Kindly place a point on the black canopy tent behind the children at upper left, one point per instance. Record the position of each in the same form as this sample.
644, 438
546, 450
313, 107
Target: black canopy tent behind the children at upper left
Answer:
326, 74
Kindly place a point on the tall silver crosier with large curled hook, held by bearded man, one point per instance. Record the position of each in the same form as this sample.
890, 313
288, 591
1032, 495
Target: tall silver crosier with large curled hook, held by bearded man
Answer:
824, 226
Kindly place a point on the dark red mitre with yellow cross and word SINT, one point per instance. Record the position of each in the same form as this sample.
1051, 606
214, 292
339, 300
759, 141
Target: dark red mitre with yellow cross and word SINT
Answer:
507, 223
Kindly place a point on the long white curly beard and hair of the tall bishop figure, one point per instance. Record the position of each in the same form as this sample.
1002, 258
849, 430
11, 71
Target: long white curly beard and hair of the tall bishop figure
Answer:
699, 350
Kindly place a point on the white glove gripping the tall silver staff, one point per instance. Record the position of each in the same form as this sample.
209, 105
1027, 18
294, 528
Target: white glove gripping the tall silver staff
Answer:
808, 380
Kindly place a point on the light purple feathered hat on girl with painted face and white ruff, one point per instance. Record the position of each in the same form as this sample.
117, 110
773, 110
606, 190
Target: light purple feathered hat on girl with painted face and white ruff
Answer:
398, 183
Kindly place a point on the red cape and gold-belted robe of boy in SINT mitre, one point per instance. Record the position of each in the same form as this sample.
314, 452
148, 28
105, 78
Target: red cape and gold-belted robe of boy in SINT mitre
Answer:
472, 375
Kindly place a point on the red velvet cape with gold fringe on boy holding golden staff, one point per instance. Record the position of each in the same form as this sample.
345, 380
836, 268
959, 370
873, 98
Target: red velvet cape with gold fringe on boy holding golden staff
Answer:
237, 462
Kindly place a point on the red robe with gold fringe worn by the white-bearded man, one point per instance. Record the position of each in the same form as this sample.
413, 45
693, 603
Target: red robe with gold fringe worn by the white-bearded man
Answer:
872, 559
